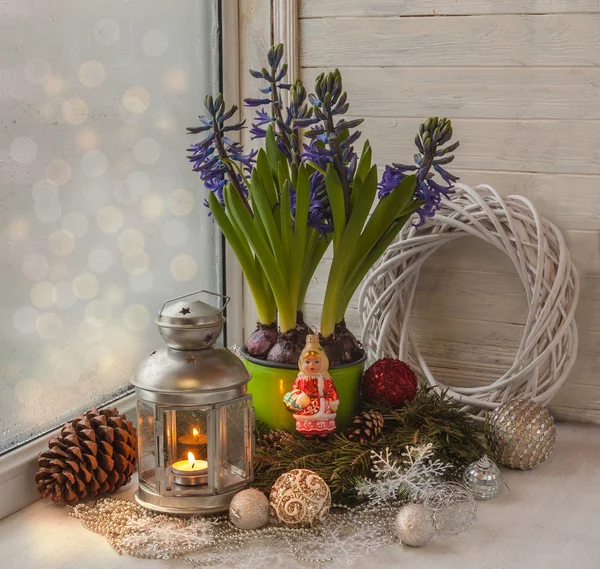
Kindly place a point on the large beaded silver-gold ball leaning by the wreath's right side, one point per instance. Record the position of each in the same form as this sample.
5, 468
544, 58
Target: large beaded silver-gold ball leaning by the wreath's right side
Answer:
521, 434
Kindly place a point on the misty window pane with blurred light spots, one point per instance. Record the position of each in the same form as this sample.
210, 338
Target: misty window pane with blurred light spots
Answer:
101, 218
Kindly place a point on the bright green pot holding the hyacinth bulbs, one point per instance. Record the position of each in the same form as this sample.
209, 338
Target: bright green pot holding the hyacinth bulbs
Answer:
271, 381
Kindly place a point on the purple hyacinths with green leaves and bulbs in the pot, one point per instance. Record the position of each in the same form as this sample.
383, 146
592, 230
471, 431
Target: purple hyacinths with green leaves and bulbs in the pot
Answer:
306, 189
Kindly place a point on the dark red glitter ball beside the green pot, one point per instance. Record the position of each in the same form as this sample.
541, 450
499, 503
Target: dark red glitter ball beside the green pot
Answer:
389, 380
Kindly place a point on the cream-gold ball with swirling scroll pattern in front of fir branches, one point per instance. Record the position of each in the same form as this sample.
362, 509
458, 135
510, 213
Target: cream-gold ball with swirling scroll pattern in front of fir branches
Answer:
300, 498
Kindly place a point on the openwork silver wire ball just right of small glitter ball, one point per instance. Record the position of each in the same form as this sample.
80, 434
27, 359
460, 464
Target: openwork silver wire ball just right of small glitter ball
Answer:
453, 506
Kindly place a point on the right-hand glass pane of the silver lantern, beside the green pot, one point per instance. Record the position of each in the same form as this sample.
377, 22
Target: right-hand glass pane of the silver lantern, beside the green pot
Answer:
235, 441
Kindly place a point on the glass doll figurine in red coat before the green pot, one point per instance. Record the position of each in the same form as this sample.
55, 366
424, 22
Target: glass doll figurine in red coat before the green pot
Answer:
313, 399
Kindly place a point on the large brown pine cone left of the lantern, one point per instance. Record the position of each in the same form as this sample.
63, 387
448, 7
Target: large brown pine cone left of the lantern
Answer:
94, 454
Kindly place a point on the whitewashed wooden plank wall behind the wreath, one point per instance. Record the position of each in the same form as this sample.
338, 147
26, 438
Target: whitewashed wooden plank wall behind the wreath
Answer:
521, 82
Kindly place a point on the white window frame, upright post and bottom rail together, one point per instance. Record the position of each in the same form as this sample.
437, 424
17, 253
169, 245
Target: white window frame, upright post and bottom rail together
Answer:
18, 466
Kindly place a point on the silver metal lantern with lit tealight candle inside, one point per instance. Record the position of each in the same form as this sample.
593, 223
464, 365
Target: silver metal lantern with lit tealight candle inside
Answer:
195, 420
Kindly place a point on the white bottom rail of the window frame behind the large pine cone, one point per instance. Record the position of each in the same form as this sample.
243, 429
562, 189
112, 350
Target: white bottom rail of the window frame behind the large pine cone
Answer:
18, 467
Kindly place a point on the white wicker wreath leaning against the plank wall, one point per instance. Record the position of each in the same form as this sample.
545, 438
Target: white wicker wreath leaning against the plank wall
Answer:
540, 255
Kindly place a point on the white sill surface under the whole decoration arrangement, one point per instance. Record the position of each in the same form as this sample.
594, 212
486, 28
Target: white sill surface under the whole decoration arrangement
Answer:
542, 519
